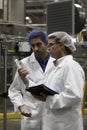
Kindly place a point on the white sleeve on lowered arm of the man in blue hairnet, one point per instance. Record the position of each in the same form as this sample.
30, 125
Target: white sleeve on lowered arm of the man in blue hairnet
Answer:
15, 92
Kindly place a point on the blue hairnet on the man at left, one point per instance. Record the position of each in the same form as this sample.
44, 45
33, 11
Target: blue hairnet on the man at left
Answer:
38, 34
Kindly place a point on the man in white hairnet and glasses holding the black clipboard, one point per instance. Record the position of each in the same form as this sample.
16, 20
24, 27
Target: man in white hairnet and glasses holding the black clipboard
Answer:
63, 110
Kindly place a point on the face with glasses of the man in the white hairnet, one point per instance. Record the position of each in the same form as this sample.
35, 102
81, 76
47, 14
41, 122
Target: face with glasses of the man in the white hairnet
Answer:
55, 49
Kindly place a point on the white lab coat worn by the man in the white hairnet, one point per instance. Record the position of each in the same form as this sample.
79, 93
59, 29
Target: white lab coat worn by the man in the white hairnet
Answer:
63, 110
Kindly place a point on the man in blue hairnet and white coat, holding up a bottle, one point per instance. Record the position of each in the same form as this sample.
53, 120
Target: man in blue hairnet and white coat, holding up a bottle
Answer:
37, 67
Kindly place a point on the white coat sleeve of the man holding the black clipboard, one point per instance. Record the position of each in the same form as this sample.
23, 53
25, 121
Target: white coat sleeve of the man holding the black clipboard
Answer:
73, 80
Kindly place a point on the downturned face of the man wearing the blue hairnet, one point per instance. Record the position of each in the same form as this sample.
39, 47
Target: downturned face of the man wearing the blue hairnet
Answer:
39, 48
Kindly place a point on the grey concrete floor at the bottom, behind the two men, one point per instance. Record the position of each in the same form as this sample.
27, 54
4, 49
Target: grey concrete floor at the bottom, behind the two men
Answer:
14, 124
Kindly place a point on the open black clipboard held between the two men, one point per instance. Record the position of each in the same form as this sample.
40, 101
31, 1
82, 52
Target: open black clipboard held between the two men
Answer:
36, 90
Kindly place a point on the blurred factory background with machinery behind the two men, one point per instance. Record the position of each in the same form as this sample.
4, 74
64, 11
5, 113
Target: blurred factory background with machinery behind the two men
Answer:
17, 19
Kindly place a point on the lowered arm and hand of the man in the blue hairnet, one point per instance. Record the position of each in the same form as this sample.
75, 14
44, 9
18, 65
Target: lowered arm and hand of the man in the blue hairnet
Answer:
14, 93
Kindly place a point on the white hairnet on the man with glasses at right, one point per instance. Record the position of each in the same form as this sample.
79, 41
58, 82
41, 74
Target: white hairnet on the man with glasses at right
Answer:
64, 38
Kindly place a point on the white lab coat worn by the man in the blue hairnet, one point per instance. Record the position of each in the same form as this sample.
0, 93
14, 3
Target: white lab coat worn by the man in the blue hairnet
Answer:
19, 96
